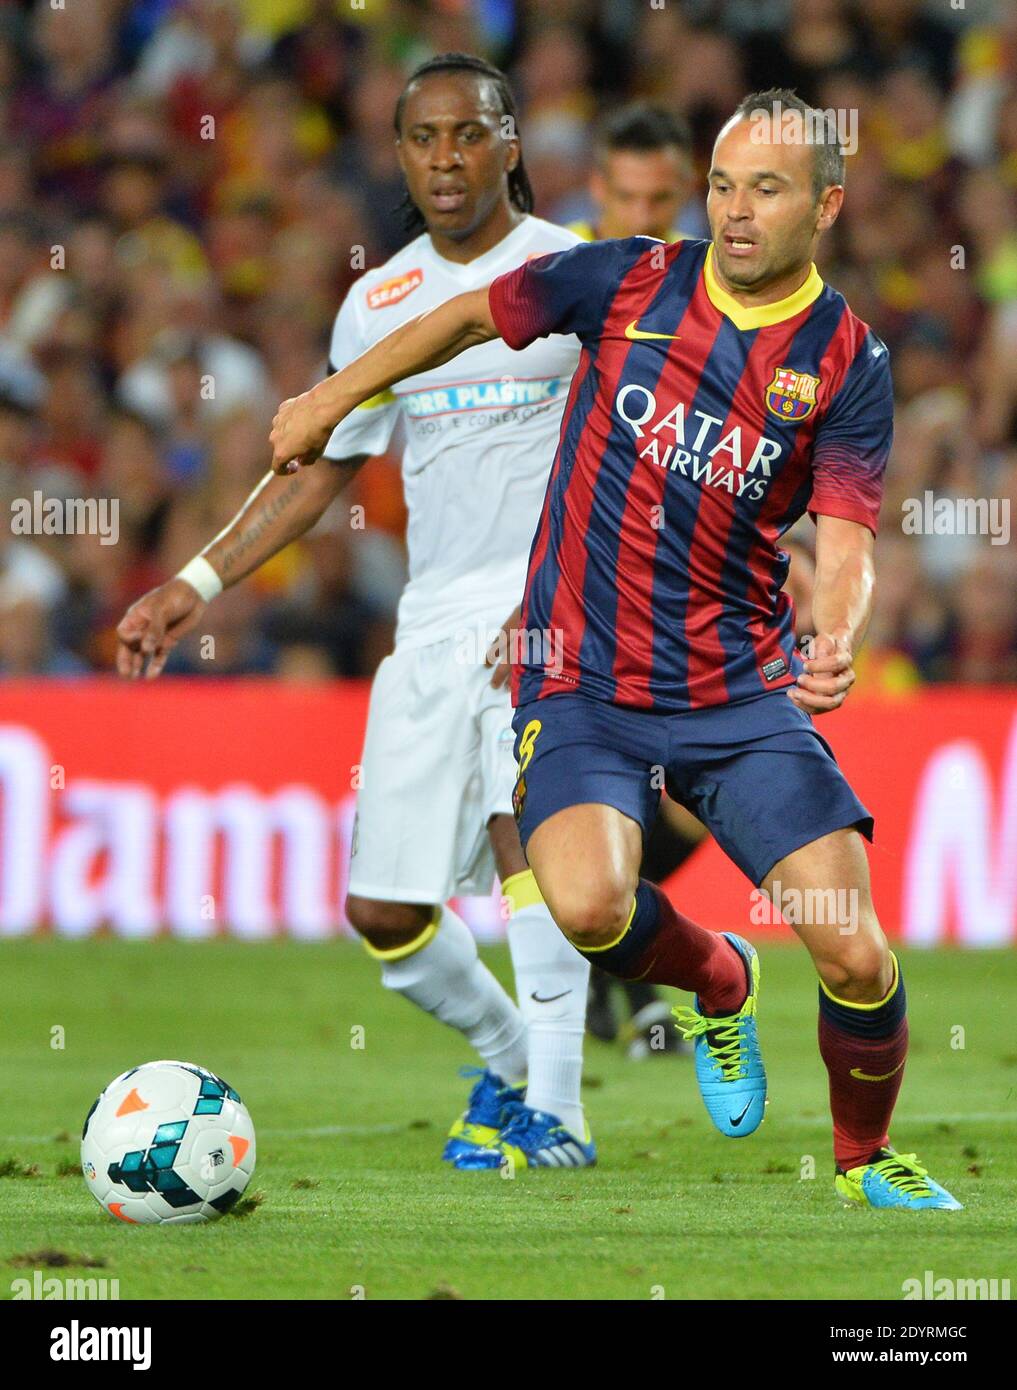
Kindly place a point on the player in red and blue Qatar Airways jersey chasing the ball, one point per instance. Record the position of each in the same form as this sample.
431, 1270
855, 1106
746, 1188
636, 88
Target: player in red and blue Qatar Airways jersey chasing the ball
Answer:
723, 391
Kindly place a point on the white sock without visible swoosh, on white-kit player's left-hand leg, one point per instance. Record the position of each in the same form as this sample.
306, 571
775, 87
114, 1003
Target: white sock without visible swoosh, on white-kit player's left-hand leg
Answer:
447, 978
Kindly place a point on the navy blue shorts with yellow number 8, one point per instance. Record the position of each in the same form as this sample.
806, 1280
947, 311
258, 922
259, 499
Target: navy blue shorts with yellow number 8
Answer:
756, 774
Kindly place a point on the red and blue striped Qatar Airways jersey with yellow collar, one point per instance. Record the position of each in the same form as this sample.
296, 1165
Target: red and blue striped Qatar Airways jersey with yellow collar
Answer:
697, 432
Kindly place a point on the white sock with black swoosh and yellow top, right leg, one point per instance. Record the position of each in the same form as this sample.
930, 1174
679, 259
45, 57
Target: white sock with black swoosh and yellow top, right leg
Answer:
549, 970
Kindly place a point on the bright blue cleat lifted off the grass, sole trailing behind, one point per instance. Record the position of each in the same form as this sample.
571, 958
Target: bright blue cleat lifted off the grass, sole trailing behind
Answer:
730, 1070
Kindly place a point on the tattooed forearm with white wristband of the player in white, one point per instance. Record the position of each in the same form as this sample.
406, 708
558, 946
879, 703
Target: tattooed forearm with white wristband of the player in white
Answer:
277, 512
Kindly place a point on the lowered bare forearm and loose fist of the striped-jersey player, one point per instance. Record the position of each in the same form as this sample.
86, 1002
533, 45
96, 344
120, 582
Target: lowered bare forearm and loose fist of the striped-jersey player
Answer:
843, 604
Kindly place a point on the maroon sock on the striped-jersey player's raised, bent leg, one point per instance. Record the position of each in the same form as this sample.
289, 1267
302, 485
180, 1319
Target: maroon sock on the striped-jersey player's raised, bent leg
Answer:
663, 947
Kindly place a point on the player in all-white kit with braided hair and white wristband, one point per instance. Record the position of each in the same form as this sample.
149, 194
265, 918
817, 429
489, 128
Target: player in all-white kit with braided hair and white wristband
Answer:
434, 812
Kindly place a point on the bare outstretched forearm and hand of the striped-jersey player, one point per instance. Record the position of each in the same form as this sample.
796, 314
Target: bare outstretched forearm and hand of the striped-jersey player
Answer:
304, 425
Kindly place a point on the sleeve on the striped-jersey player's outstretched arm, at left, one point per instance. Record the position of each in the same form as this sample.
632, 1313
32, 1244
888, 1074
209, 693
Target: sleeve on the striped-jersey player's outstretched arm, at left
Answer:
566, 293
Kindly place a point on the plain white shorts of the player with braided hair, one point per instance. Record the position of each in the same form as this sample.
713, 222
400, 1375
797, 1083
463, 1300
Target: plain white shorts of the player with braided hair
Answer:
438, 764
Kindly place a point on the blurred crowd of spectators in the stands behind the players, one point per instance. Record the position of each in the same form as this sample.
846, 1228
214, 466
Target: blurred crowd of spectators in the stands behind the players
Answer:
188, 188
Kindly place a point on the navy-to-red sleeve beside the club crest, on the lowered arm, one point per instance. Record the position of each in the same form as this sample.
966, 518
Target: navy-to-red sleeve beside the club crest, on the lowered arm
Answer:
854, 441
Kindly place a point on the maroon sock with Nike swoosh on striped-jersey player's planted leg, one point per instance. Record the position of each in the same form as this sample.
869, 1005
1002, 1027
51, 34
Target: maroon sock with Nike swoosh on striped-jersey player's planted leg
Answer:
865, 1074
